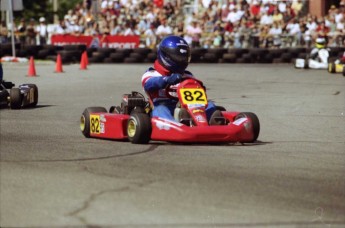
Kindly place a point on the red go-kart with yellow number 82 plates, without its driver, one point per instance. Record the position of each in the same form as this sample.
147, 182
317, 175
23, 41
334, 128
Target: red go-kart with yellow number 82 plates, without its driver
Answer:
132, 120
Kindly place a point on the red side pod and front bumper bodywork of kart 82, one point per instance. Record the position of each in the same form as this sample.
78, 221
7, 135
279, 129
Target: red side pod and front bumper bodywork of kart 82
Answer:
114, 126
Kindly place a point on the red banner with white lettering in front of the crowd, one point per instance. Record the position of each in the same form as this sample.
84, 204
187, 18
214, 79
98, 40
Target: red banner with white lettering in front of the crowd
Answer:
102, 41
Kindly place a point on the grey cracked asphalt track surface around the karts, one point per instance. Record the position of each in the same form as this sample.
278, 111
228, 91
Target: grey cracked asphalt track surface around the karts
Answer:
292, 177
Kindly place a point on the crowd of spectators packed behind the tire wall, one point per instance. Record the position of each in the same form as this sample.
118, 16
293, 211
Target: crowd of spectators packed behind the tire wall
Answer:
208, 24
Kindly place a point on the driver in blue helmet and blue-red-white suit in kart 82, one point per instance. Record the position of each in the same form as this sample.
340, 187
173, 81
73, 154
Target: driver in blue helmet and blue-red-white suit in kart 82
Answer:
173, 57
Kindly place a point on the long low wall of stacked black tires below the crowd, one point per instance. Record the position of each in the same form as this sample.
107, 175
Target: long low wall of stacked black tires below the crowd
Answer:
72, 54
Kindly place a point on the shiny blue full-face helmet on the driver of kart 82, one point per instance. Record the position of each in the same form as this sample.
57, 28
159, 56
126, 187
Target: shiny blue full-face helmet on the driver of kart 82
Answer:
174, 54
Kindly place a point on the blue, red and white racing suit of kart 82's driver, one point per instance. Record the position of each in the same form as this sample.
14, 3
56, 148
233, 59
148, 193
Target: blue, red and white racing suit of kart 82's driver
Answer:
154, 86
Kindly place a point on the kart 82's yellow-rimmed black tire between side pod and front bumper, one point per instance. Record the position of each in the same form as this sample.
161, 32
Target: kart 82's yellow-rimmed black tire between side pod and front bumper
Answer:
139, 128
